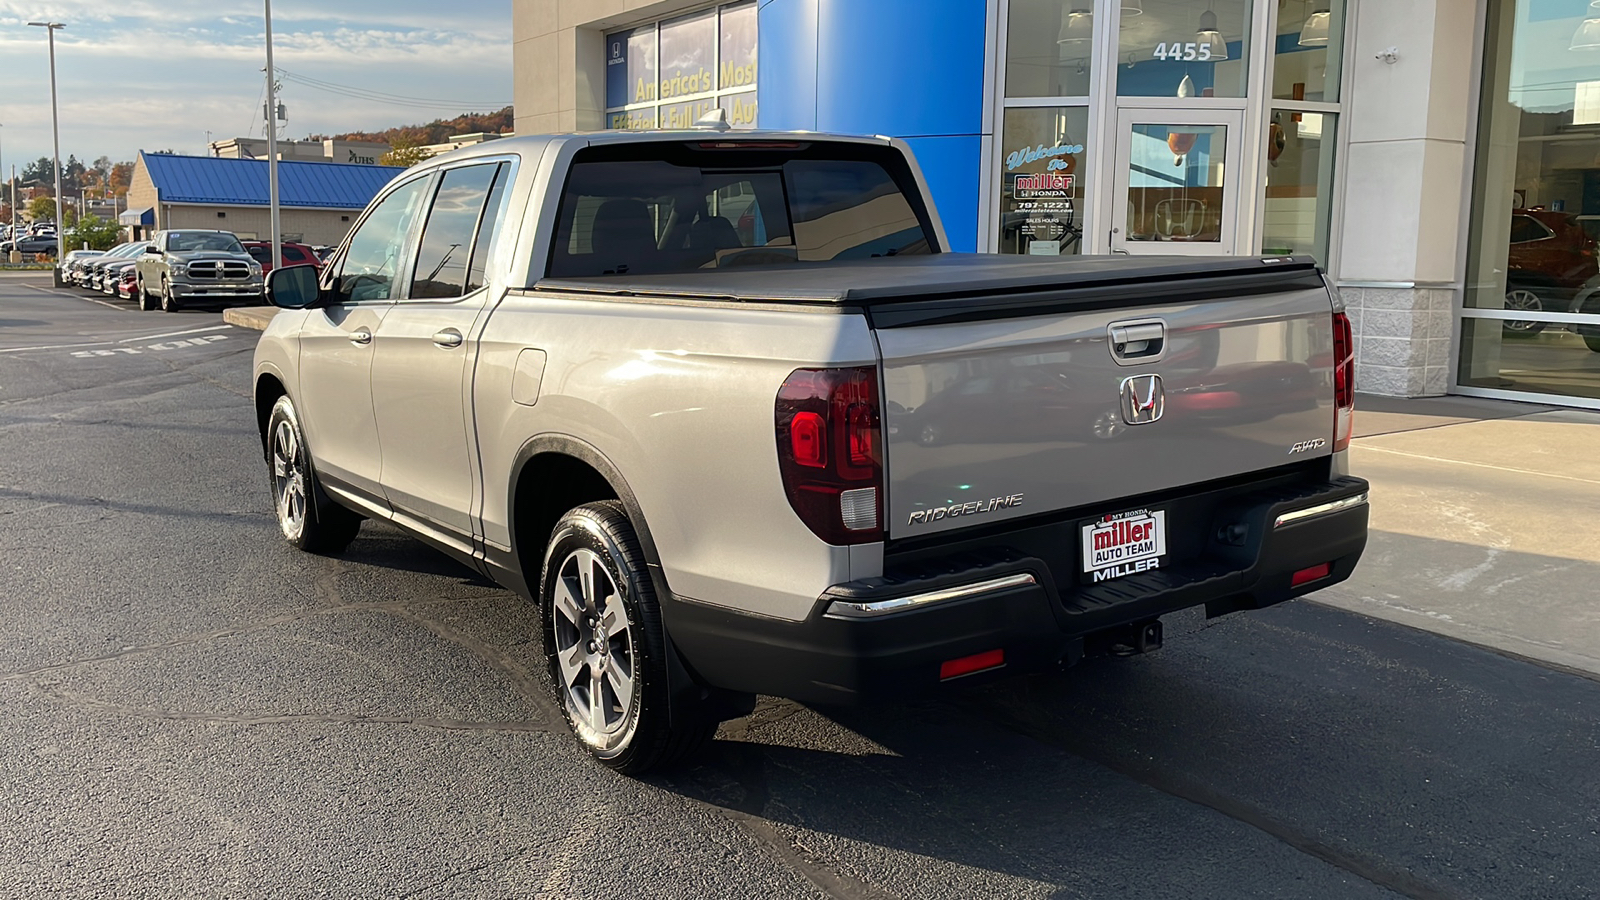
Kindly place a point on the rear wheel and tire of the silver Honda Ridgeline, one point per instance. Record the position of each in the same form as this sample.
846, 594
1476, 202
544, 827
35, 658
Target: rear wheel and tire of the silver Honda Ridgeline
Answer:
641, 739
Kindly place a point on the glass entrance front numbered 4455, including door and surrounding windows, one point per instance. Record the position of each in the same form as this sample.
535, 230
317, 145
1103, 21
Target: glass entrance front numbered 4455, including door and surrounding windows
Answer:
1167, 127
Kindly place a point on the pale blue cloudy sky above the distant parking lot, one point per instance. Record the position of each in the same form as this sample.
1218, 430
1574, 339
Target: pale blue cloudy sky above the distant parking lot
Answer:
159, 74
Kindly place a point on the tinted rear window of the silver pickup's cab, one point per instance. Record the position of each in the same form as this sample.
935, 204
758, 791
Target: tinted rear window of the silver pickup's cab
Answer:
721, 209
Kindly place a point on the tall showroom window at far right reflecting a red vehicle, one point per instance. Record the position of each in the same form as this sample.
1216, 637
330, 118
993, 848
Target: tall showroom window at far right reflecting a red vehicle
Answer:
1532, 315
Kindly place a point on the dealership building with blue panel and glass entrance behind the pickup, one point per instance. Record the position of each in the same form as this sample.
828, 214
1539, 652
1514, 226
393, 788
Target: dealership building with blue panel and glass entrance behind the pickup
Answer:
1439, 158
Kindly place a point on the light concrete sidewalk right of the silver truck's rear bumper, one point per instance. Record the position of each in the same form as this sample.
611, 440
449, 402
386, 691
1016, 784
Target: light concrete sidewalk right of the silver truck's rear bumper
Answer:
1486, 524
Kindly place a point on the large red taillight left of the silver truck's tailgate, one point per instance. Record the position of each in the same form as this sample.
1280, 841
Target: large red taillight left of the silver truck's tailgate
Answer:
831, 452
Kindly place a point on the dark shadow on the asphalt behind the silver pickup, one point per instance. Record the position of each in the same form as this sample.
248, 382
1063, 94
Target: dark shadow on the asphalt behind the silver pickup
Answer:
1425, 766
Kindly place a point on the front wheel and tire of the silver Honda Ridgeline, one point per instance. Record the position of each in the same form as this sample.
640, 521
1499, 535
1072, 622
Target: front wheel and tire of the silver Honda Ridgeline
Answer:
306, 518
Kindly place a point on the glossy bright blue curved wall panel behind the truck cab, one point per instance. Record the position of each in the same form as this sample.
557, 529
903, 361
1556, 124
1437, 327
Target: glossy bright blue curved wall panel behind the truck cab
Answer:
905, 68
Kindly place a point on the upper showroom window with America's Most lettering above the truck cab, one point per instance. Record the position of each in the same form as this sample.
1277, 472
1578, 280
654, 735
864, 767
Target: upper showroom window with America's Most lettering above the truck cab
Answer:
668, 74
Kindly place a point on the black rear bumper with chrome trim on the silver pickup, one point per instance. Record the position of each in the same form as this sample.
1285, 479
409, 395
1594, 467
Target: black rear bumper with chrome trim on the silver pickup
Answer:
993, 613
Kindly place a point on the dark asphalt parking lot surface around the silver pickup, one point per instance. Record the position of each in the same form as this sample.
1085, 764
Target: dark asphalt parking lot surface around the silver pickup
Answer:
191, 709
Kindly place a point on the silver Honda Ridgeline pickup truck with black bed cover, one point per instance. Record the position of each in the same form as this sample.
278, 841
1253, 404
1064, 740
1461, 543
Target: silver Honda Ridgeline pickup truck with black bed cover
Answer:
732, 417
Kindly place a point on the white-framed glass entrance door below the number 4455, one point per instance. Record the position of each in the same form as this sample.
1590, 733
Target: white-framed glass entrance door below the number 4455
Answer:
1177, 177
